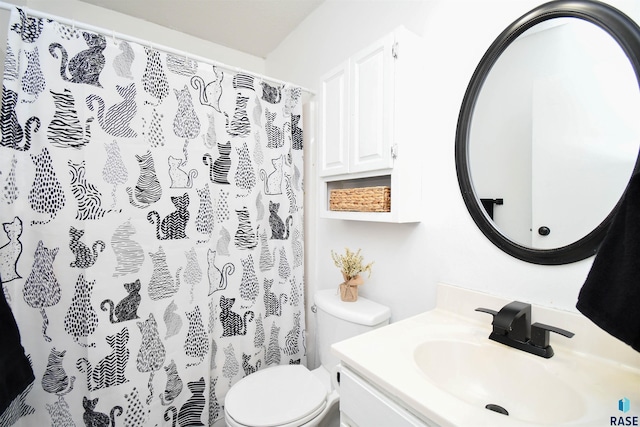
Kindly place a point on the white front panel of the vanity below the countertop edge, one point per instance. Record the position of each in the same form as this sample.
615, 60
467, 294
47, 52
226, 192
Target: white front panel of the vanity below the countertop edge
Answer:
362, 405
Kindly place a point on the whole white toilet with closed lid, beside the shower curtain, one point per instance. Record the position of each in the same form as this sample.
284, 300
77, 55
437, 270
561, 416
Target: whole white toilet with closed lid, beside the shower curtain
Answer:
292, 395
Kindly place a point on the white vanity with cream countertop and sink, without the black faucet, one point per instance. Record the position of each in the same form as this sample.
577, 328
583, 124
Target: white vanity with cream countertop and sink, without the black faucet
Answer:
440, 369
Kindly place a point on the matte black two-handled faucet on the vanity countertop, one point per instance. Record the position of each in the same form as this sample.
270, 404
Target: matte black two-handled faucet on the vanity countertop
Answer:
512, 326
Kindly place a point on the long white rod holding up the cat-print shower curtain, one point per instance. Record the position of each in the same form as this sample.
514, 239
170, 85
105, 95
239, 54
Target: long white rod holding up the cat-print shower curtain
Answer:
148, 43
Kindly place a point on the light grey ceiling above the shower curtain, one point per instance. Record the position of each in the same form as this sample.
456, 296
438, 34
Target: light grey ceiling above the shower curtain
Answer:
255, 27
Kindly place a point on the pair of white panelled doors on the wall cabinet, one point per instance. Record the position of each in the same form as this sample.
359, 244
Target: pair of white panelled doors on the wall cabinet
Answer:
356, 112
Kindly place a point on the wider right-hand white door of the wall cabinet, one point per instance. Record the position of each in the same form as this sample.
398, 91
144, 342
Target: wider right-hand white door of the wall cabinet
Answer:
372, 107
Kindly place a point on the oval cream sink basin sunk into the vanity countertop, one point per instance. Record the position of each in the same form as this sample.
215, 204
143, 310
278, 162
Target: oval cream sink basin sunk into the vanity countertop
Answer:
485, 373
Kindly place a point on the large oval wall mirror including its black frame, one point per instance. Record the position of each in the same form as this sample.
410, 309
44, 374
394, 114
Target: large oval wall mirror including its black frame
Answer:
548, 132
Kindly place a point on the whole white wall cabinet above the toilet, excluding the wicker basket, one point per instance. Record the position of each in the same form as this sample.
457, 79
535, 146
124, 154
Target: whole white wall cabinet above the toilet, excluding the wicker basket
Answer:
371, 126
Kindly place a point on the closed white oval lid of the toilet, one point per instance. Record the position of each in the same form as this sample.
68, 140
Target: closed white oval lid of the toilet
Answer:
275, 396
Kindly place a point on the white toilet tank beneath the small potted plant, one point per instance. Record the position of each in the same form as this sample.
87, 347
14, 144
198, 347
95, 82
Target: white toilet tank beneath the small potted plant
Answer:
338, 320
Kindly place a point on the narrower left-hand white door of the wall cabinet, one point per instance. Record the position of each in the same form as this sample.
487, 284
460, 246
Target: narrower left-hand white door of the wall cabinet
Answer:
334, 122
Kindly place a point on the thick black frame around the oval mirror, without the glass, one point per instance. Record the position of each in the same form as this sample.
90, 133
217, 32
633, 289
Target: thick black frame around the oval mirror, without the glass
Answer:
627, 33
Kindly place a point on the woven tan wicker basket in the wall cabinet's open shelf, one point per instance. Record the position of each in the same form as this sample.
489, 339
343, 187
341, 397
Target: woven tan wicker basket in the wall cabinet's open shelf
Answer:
364, 199
